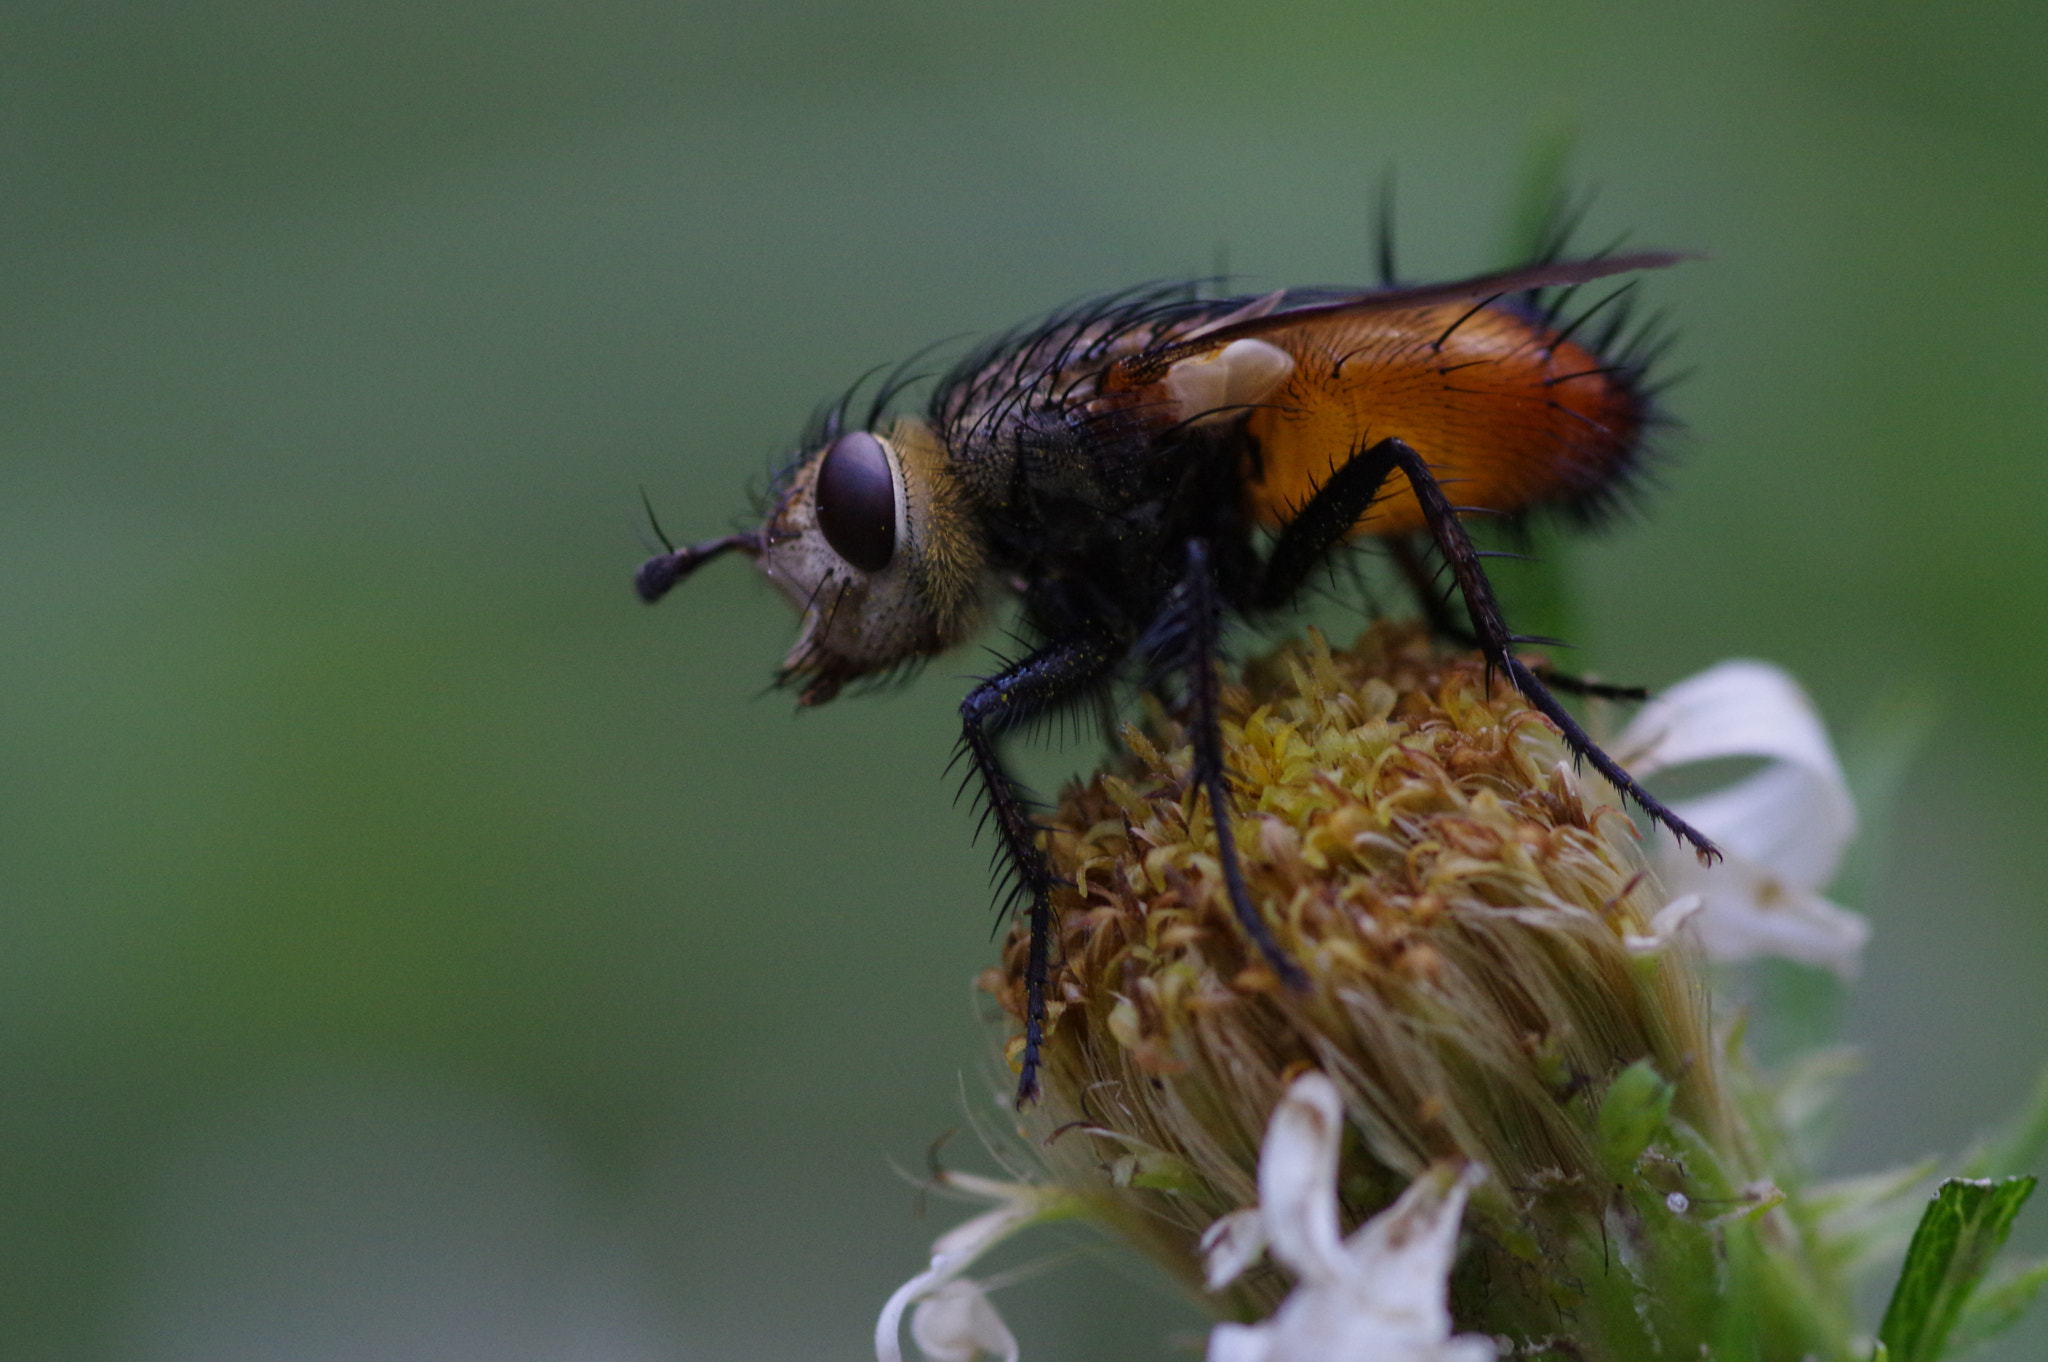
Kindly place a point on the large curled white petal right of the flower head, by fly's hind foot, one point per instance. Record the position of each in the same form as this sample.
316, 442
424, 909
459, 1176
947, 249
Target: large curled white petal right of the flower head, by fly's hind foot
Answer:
1783, 831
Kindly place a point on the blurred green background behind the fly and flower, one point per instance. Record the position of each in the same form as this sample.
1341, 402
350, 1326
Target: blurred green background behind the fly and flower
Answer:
413, 947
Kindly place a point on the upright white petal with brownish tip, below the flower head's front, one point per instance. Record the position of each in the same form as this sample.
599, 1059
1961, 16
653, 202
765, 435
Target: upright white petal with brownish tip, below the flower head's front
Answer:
1299, 1179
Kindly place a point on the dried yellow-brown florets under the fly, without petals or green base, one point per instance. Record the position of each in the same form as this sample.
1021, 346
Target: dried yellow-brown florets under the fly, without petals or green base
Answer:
1463, 906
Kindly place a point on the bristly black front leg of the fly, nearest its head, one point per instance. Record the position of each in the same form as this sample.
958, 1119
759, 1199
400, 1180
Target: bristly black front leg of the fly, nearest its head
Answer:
1025, 691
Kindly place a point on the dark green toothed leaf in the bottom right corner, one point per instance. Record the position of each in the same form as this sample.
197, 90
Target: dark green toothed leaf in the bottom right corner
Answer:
1957, 1240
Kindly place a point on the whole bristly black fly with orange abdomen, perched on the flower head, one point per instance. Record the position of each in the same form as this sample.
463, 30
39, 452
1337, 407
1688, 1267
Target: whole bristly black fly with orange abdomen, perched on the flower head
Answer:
1150, 466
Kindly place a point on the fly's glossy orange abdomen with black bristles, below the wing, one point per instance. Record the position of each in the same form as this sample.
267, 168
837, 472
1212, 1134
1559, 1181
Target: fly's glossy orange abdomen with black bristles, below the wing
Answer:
1504, 413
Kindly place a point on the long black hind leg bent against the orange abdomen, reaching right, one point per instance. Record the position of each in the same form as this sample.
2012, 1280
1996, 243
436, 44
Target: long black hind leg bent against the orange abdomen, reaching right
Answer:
1330, 517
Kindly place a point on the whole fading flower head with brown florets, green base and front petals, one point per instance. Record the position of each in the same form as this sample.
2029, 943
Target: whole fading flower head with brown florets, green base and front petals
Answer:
1496, 980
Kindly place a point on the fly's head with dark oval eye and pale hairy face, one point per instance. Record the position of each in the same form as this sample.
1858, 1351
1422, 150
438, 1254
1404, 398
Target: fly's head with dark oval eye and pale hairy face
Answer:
873, 540
